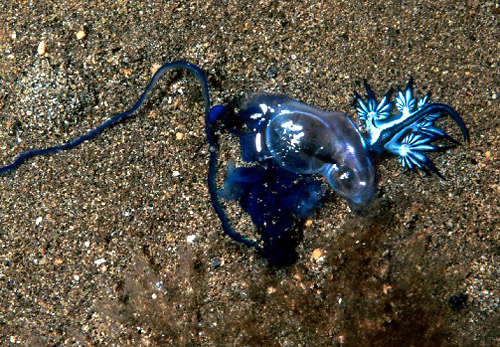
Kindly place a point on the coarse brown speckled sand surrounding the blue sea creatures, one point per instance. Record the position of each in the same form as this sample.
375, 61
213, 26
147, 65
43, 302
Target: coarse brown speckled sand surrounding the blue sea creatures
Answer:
94, 241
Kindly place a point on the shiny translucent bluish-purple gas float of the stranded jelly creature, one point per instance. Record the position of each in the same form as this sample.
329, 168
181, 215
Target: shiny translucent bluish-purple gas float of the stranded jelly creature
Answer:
306, 140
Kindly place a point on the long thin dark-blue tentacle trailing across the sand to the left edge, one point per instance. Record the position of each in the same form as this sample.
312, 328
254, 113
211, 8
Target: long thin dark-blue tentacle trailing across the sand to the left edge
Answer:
212, 170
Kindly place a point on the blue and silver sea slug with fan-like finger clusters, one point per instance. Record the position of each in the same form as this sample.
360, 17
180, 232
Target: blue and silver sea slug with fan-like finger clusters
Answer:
410, 132
